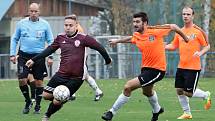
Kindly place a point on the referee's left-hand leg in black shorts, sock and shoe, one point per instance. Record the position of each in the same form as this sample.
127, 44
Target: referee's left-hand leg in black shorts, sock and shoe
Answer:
22, 76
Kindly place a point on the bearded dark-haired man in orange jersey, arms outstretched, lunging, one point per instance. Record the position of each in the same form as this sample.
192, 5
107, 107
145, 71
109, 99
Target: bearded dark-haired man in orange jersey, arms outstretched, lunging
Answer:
150, 42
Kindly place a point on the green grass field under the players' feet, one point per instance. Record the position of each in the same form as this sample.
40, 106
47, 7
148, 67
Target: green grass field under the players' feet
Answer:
85, 109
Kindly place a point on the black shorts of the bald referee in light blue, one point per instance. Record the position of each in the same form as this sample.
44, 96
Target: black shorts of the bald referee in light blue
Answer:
37, 69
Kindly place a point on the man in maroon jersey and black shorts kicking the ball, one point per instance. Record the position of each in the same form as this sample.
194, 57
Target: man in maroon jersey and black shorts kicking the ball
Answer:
72, 68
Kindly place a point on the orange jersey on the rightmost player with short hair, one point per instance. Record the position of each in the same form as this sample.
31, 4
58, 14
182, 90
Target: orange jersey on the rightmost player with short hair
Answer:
187, 50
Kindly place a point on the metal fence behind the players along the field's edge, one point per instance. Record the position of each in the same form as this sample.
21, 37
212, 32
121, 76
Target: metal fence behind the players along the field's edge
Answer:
126, 62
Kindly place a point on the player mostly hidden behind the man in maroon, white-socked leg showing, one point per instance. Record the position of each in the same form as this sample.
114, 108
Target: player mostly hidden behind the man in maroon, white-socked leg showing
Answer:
89, 79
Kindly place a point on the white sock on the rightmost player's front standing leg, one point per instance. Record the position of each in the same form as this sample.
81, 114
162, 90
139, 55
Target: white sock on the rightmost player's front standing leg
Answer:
184, 101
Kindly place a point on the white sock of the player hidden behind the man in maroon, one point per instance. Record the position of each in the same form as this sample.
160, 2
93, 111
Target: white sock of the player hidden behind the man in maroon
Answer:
93, 85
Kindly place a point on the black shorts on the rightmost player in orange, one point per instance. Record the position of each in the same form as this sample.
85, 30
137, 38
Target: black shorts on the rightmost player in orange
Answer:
187, 79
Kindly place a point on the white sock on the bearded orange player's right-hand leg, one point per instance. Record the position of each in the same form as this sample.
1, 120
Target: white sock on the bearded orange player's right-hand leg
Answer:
153, 100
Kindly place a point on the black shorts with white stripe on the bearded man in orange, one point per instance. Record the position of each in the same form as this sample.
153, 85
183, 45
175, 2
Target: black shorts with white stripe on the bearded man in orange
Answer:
149, 76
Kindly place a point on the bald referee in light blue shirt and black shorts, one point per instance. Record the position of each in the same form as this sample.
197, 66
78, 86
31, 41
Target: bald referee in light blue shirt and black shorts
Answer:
32, 33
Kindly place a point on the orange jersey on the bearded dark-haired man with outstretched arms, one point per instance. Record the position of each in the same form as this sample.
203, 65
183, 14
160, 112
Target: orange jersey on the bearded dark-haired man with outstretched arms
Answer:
151, 45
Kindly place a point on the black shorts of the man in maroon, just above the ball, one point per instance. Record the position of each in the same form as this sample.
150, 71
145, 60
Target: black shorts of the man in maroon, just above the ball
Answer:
73, 84
